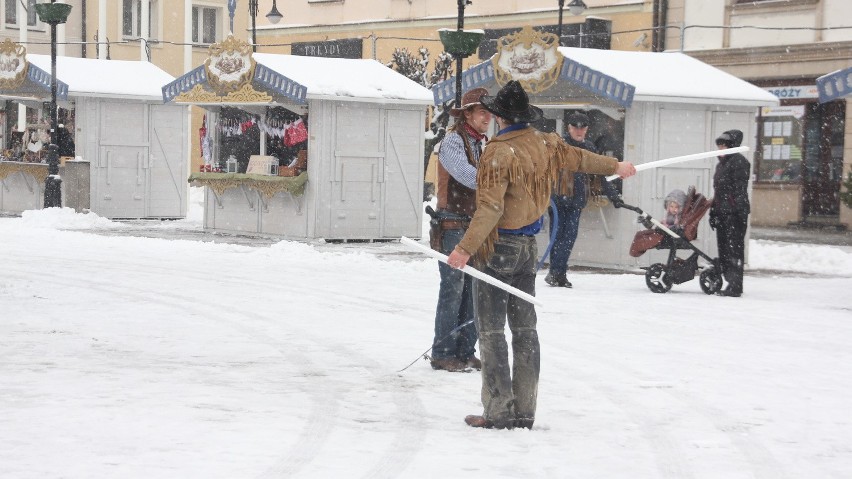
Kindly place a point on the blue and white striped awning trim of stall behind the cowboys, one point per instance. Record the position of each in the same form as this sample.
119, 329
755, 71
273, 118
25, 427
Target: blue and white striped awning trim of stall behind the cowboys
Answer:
596, 85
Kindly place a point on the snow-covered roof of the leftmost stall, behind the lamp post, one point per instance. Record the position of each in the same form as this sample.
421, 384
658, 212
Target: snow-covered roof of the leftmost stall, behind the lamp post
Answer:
104, 78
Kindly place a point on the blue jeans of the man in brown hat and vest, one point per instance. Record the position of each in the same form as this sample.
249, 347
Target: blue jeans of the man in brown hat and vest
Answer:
455, 307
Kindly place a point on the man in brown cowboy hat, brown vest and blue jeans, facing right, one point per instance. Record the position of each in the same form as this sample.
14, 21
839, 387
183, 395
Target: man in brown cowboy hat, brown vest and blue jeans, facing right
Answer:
453, 346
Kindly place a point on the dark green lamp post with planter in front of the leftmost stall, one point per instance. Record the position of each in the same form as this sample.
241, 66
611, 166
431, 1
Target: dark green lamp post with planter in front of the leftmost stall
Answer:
53, 14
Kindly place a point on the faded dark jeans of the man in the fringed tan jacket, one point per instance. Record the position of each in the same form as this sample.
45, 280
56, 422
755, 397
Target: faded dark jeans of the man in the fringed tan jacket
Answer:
506, 395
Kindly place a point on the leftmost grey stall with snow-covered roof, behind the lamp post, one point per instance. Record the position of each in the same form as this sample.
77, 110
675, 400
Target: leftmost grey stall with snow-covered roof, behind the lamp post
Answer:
124, 153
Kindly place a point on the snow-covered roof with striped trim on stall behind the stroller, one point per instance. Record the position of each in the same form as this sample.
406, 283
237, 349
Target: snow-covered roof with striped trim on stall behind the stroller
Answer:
618, 78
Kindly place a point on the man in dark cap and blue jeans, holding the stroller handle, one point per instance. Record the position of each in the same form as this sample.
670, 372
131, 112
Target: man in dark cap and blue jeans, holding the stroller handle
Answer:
570, 196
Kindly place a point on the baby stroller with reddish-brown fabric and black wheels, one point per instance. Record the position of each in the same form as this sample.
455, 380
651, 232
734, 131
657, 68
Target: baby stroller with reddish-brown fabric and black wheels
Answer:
660, 277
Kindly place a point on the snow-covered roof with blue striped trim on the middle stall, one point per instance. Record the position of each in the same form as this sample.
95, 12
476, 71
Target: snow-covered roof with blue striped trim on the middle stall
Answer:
299, 78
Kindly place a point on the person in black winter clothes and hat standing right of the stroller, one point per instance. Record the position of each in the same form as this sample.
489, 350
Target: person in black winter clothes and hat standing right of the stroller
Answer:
729, 211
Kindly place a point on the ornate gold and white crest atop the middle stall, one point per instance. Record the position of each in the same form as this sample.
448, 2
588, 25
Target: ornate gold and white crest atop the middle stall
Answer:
229, 66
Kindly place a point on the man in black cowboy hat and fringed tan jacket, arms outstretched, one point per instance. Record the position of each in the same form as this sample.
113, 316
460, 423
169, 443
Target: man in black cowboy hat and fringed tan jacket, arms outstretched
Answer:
513, 191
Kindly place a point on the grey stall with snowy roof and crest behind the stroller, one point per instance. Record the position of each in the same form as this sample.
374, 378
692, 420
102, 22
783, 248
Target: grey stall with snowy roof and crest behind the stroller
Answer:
643, 107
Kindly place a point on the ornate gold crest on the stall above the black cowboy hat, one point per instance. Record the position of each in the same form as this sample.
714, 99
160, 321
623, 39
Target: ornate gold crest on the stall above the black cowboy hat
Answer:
530, 57
